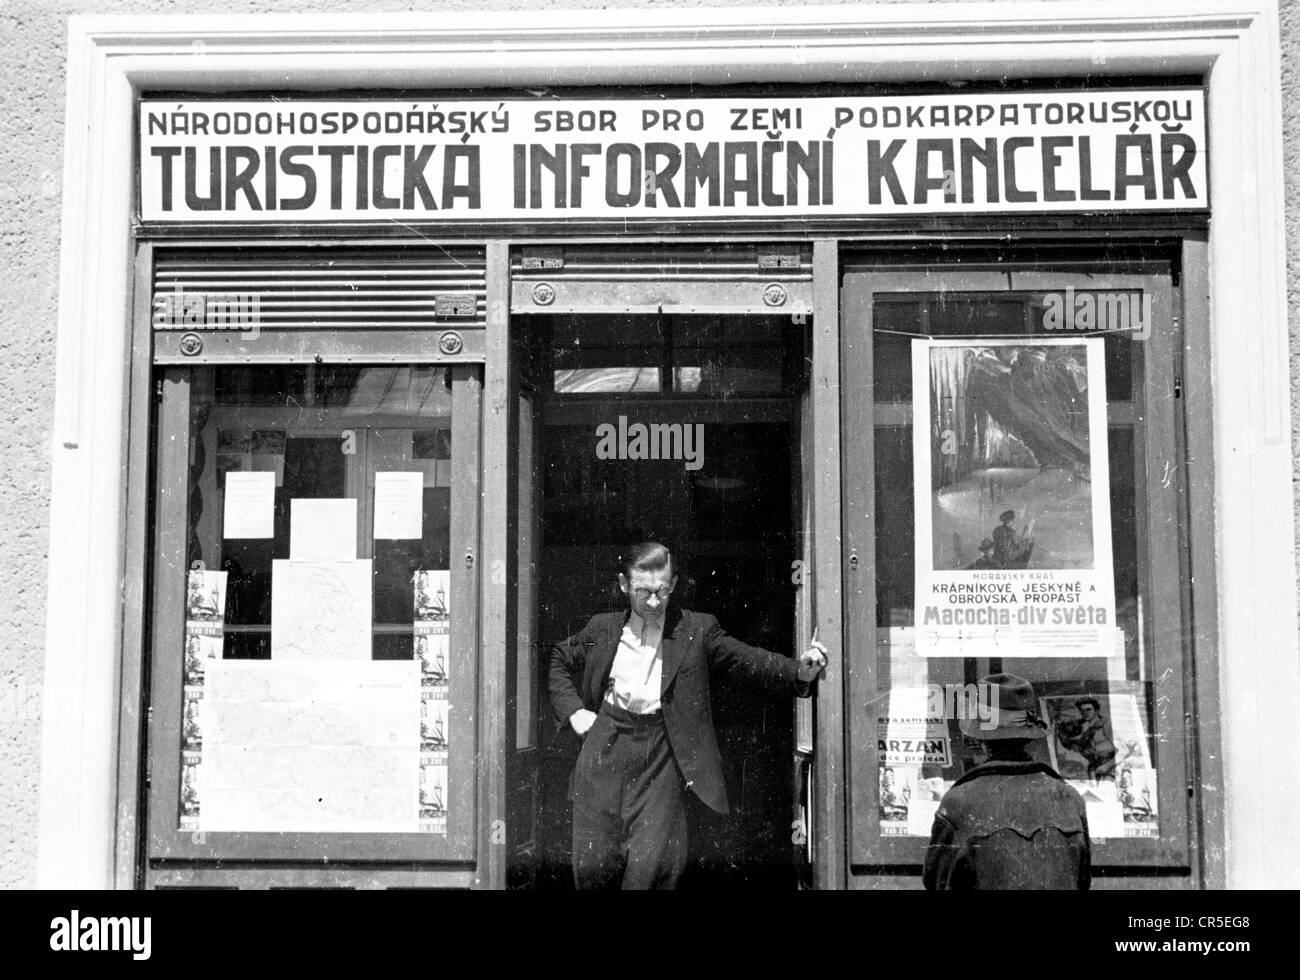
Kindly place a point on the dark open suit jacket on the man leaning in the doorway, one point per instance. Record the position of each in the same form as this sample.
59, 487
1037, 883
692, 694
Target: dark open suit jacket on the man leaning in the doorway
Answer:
694, 649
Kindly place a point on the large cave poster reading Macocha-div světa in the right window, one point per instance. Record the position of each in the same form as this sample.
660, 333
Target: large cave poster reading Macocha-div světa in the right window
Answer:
1012, 498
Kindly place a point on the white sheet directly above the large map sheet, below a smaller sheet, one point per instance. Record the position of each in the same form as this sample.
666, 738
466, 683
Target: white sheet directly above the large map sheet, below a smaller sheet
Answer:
320, 610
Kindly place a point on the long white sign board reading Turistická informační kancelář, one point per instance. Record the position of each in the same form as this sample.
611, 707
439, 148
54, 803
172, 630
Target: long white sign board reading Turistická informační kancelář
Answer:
673, 159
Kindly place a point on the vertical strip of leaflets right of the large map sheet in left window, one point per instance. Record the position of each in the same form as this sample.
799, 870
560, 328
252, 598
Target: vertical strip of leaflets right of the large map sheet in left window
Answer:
432, 651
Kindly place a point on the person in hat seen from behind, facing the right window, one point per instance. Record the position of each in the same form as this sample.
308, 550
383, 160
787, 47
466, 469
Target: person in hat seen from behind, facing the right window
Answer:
1011, 823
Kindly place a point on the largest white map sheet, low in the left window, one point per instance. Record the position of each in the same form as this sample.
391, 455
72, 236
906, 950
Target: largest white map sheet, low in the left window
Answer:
322, 747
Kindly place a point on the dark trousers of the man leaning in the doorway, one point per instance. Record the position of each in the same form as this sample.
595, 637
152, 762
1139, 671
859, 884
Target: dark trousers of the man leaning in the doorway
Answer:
630, 814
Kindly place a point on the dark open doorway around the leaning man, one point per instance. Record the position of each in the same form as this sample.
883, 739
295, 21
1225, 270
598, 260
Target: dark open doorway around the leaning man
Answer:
682, 430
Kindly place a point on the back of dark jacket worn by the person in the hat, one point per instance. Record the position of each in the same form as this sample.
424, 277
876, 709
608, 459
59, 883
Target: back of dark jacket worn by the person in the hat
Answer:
1009, 826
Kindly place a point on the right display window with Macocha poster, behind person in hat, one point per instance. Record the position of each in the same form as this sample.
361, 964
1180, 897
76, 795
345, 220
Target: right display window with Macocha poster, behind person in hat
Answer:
1025, 523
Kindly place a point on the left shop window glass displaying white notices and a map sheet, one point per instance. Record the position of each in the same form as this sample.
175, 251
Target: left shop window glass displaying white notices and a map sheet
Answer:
318, 678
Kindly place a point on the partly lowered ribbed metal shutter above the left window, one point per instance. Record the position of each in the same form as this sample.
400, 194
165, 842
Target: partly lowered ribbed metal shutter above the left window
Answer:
293, 305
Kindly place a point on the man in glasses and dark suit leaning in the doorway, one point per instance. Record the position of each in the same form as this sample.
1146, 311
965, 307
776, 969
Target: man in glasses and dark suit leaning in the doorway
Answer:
635, 687
